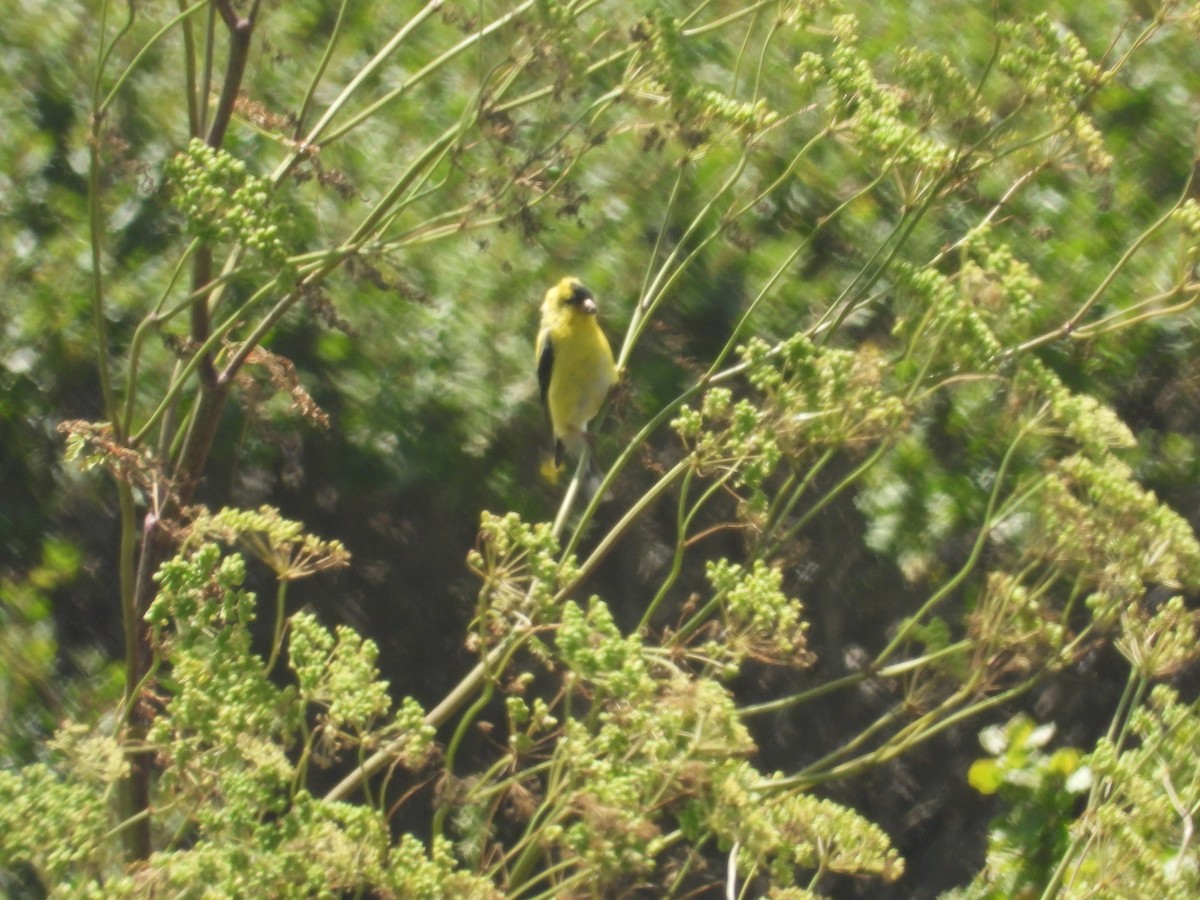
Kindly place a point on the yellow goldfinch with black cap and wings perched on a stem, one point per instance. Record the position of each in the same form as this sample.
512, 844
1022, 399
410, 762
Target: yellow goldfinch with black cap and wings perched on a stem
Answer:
575, 365
